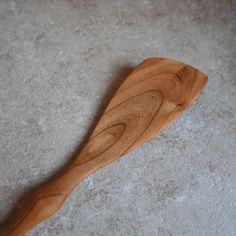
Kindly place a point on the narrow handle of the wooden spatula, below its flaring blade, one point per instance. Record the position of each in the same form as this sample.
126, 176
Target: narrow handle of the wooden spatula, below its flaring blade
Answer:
44, 202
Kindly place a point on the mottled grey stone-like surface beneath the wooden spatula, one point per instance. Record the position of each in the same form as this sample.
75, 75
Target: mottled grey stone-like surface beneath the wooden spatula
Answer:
60, 59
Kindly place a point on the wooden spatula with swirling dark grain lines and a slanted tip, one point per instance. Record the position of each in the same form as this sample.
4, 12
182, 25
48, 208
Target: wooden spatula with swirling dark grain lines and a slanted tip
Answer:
152, 96
